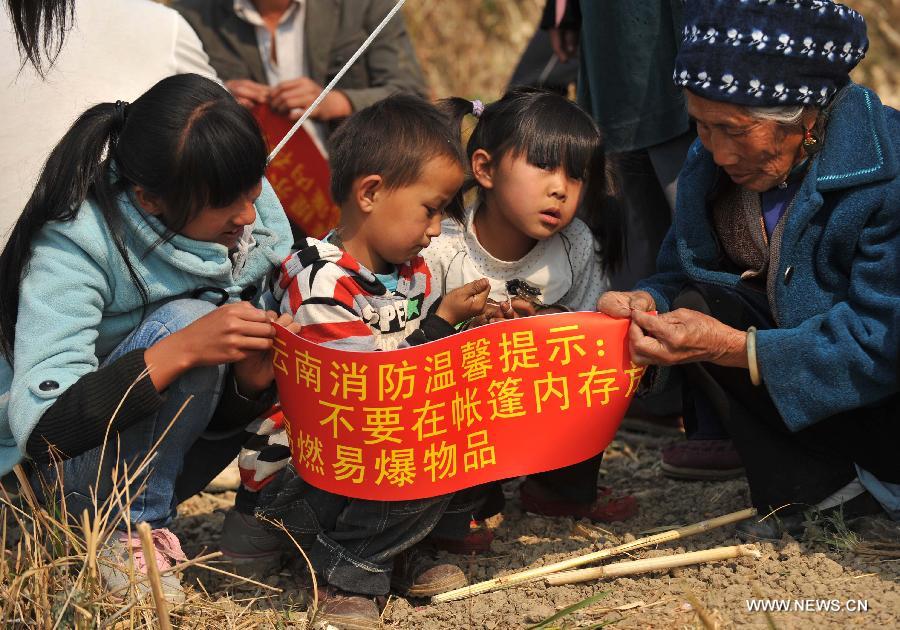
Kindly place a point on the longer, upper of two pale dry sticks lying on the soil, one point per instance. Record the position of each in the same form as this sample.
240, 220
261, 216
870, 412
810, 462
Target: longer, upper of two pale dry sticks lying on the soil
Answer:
532, 574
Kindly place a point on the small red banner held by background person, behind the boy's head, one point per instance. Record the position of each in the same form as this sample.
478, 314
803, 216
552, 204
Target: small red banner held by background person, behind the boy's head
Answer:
299, 174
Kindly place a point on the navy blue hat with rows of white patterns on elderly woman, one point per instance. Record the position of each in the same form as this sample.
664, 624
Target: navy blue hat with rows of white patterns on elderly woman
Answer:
769, 52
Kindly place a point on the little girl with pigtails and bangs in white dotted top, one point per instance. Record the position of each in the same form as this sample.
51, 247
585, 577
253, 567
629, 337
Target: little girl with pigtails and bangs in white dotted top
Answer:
544, 228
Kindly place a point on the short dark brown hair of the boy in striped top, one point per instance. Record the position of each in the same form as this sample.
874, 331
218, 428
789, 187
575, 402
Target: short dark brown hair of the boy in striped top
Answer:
393, 138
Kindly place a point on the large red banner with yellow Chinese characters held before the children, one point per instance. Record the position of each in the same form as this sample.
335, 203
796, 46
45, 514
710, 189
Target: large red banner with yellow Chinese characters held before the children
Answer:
512, 398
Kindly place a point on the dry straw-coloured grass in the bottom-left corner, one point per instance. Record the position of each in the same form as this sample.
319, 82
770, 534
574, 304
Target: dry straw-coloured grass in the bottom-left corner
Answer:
50, 567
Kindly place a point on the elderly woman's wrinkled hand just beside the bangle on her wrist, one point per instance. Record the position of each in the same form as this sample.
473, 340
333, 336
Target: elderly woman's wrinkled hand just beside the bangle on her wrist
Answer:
685, 336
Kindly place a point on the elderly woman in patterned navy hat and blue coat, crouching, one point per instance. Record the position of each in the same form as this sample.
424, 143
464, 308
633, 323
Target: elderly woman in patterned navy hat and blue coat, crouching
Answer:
778, 286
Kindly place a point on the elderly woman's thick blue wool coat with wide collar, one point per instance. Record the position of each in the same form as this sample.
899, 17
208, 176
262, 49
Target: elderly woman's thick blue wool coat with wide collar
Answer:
837, 299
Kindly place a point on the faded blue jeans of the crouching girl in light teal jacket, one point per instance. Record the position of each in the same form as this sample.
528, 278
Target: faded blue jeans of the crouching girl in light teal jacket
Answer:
156, 504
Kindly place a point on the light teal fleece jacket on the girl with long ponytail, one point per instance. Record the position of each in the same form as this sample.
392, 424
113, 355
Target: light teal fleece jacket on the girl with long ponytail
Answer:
77, 301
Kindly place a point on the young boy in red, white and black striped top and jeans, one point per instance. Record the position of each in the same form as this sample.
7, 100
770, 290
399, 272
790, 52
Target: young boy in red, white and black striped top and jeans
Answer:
395, 167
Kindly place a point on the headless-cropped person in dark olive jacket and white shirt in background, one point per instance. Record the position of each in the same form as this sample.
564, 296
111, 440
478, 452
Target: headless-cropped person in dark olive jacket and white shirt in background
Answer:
283, 52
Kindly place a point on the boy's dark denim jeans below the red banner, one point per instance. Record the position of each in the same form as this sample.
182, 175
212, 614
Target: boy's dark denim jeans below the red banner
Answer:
351, 543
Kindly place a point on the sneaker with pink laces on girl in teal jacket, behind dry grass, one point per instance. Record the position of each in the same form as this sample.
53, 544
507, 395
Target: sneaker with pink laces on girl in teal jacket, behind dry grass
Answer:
114, 563
